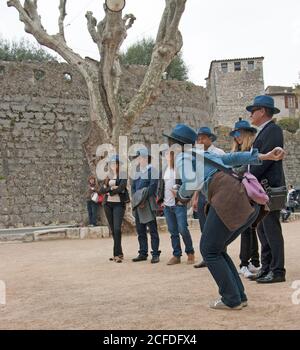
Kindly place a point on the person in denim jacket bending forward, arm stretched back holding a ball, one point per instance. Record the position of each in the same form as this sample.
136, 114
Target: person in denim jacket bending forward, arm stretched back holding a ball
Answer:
230, 211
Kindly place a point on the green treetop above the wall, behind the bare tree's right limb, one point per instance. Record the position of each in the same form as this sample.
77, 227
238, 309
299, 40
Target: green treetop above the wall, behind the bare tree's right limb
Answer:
141, 52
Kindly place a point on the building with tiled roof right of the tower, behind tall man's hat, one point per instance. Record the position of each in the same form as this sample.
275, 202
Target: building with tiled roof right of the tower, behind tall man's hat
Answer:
285, 99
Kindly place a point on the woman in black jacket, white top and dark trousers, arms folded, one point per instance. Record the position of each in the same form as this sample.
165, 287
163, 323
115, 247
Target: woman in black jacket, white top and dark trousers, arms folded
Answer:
116, 197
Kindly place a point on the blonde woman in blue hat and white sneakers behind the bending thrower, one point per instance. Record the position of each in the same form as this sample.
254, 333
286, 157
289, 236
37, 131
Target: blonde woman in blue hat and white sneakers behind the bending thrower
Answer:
243, 137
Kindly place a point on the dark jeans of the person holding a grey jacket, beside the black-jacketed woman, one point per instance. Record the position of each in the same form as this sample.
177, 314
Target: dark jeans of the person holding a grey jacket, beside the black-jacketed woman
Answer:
142, 237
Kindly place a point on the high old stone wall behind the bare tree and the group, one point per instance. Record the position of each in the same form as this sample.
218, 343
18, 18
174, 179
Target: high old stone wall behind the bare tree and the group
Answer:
43, 122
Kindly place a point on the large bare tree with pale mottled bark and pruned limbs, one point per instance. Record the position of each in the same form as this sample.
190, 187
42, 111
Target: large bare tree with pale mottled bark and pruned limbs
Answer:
102, 77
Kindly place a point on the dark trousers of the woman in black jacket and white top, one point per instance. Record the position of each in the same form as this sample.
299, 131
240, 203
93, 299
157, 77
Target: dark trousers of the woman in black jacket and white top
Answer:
115, 213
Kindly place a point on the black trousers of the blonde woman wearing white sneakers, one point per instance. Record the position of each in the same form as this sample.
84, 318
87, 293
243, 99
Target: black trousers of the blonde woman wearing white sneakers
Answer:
249, 248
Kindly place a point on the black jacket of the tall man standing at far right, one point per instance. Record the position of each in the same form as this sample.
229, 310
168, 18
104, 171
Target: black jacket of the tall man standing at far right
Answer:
270, 137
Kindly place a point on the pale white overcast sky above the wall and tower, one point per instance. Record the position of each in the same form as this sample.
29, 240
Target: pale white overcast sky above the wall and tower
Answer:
212, 29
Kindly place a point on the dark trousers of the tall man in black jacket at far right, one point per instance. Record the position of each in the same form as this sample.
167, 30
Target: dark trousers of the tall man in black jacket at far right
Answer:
272, 243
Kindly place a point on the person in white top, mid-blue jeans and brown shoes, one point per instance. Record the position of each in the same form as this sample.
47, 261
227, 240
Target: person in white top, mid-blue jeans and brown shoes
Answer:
175, 213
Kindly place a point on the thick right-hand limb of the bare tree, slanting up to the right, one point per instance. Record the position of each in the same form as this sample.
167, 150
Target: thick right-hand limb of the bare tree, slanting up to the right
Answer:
168, 44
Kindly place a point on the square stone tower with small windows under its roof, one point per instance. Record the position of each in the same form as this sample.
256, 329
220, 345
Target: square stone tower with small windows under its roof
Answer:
232, 84
